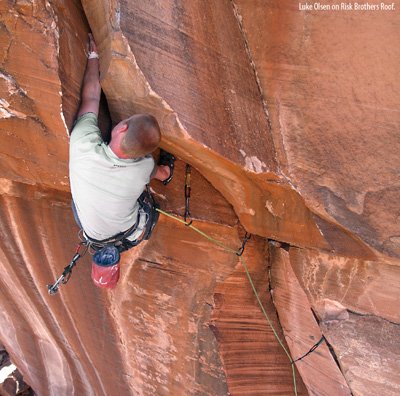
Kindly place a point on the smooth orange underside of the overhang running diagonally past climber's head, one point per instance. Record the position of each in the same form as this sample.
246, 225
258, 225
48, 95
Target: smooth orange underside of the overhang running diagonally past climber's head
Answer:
273, 209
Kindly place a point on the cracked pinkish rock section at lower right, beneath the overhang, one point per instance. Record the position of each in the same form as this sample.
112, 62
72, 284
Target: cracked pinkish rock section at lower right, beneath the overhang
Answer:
339, 291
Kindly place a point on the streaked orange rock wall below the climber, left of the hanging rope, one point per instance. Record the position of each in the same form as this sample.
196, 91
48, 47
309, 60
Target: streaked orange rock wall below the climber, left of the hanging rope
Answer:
154, 334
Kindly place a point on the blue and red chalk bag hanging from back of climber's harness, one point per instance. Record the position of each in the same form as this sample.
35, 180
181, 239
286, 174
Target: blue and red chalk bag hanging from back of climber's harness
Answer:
105, 267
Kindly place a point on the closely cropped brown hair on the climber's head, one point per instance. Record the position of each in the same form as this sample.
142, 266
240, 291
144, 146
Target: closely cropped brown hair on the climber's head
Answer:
142, 137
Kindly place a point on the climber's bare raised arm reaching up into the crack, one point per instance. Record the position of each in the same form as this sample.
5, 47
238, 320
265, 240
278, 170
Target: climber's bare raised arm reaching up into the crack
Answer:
91, 89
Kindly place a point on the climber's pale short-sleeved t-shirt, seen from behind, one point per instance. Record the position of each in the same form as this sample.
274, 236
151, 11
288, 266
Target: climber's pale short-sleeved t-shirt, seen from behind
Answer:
104, 188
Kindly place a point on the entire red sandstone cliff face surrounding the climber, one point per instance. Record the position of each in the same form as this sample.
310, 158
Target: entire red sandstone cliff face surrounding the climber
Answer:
183, 319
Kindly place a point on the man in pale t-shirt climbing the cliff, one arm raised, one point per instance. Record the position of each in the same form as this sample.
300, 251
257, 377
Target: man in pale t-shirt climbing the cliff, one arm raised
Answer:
108, 182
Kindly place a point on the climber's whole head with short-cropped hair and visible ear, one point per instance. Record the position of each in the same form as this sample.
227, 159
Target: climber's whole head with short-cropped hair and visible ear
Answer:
136, 136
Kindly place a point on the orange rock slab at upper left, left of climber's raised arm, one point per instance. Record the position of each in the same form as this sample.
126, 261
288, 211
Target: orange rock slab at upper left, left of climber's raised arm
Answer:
34, 133
